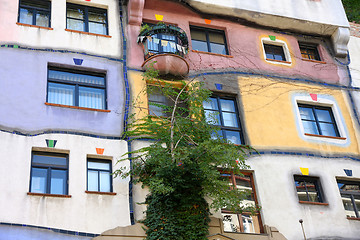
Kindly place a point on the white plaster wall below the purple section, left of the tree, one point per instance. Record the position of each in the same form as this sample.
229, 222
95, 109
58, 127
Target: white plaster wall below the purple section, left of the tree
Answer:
83, 212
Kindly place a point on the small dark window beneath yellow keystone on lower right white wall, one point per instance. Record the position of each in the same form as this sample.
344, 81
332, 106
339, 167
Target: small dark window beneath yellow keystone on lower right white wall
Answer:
308, 189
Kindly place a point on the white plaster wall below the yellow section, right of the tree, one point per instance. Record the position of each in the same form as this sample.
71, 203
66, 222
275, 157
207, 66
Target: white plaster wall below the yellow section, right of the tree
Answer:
273, 176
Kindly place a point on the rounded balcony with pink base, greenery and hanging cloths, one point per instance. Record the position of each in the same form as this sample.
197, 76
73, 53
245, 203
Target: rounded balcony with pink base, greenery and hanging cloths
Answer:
164, 49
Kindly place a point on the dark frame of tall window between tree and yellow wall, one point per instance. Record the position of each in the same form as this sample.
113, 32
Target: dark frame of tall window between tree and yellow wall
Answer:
224, 128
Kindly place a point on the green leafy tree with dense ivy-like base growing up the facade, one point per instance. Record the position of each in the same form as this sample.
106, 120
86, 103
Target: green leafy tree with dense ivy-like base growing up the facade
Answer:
181, 167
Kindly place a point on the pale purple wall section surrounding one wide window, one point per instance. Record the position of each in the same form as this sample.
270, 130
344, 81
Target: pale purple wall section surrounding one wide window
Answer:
23, 82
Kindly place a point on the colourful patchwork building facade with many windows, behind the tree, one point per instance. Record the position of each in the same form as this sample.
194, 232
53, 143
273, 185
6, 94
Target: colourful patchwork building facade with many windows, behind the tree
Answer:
279, 73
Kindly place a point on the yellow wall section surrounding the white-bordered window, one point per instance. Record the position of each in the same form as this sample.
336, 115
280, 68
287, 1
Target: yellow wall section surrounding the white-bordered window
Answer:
270, 120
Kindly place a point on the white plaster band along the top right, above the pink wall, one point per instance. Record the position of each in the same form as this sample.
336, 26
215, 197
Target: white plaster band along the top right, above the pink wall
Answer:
300, 14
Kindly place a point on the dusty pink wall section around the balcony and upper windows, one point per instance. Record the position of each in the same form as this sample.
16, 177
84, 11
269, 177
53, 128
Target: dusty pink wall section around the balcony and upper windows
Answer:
244, 44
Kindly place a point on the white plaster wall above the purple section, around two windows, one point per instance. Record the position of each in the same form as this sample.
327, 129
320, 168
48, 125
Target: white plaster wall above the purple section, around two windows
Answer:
58, 38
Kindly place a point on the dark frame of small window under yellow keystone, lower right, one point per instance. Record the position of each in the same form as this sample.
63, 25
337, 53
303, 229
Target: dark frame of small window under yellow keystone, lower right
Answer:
317, 185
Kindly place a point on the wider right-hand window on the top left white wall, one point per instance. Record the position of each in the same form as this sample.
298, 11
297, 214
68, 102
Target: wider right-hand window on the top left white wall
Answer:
86, 19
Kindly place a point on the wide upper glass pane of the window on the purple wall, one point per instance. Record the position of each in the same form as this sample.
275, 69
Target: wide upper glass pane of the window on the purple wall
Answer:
76, 77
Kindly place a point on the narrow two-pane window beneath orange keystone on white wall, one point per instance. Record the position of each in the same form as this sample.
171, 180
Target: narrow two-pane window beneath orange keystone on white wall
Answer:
99, 176
